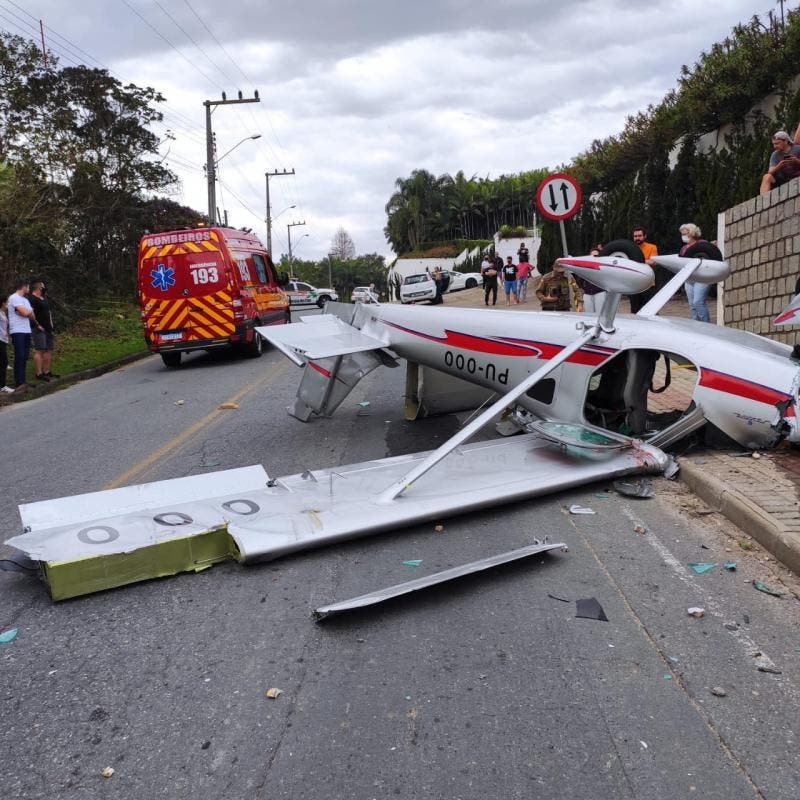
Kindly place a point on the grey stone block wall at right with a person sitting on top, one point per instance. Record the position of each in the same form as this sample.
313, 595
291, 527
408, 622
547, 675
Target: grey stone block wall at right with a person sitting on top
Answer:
761, 241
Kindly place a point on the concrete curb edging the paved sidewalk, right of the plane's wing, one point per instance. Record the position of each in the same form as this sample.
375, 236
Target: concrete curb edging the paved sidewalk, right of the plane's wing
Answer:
742, 512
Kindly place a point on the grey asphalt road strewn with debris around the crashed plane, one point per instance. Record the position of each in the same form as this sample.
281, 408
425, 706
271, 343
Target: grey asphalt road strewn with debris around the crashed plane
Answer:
487, 688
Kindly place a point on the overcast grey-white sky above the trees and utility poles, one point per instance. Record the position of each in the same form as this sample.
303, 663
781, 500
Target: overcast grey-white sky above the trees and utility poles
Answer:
356, 93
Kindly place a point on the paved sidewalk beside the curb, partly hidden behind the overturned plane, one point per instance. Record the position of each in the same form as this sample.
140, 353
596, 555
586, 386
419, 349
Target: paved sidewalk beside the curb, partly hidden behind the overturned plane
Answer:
759, 493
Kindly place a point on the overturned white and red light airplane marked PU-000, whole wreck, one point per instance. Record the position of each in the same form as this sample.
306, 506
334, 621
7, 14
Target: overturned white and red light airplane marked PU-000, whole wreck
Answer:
574, 387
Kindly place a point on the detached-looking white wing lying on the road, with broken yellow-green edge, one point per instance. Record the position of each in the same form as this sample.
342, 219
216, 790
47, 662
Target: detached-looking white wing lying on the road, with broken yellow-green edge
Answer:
98, 541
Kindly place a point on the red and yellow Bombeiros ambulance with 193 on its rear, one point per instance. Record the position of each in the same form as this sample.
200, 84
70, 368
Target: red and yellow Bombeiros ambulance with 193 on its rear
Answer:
205, 288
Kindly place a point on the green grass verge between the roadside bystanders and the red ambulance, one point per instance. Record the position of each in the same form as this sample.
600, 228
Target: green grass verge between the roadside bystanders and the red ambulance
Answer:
105, 334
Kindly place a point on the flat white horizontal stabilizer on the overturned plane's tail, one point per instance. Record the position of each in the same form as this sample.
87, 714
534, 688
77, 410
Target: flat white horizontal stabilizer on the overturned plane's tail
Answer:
319, 336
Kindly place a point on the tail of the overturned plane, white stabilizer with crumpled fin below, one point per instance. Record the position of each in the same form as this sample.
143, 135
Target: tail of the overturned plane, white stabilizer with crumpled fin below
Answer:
335, 356
